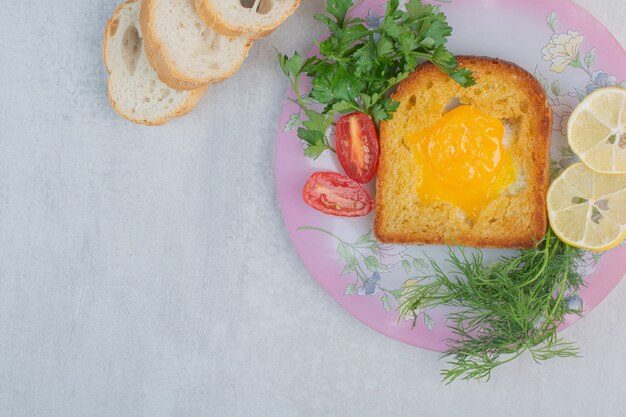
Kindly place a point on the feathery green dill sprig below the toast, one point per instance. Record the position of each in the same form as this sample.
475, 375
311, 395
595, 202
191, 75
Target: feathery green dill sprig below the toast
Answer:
504, 309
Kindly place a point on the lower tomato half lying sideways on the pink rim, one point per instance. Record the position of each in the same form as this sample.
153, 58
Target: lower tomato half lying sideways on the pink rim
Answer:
336, 194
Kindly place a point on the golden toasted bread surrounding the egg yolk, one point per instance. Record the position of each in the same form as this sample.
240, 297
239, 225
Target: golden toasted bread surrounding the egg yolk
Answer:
516, 218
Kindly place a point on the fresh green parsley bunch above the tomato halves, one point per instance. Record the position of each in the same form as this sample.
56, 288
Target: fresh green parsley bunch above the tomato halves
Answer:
358, 66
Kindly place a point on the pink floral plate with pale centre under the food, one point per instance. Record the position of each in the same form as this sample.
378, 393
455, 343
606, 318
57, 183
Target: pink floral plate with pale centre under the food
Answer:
568, 50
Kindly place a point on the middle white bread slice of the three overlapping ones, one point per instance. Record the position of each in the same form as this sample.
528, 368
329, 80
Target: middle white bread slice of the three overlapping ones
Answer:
185, 53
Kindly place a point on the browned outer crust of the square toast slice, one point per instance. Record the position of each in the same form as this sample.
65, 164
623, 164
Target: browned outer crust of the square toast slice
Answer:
537, 224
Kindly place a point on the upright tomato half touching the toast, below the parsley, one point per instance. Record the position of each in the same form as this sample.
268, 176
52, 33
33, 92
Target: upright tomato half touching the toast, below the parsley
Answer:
357, 146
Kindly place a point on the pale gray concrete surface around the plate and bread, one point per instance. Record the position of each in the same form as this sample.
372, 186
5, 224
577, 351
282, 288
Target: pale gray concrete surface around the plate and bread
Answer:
147, 271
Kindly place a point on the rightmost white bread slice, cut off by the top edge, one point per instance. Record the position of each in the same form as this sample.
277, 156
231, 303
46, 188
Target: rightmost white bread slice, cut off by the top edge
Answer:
253, 18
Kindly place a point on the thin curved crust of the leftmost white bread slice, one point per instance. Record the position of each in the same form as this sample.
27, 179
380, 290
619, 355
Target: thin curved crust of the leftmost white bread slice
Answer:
192, 100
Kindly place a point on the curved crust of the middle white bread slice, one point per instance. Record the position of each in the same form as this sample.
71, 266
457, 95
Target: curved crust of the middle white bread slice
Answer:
159, 60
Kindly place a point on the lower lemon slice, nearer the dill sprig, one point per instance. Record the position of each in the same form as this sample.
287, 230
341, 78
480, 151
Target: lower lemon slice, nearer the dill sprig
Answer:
587, 209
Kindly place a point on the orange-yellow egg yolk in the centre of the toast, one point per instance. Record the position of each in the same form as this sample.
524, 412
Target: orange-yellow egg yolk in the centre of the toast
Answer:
462, 160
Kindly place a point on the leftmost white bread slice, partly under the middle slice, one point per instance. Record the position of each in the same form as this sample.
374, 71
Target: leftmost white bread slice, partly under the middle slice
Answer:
134, 89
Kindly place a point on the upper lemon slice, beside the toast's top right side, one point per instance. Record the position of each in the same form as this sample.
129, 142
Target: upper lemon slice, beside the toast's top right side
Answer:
596, 130
